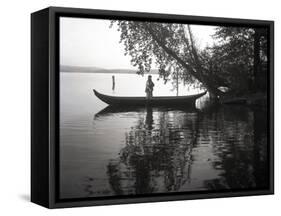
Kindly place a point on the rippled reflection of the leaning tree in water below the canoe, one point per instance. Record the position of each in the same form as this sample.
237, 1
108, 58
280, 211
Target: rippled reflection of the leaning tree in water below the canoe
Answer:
157, 154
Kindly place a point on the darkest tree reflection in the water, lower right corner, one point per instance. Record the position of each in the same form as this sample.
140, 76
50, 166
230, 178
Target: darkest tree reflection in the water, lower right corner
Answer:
241, 148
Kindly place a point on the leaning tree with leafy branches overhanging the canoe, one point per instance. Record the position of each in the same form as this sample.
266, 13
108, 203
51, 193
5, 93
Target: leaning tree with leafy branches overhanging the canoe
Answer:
173, 48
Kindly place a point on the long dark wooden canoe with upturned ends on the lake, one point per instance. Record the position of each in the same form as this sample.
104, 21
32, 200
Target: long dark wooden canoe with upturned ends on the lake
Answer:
154, 101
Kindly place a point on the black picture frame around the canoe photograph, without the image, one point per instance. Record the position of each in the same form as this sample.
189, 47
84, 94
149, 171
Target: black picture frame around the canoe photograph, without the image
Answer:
45, 105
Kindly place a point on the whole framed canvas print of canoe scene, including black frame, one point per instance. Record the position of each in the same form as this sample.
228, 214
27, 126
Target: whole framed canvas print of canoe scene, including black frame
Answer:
138, 107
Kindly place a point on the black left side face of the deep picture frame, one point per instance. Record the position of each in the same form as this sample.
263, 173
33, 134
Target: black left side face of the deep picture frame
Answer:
39, 107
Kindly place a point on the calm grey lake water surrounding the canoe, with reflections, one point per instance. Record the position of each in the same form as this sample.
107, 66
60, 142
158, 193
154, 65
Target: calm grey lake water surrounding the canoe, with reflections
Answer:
106, 152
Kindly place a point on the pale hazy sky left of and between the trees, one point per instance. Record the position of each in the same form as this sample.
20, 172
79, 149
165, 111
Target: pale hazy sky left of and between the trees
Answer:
90, 42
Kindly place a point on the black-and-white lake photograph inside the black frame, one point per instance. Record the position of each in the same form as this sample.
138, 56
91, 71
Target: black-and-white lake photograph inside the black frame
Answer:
161, 108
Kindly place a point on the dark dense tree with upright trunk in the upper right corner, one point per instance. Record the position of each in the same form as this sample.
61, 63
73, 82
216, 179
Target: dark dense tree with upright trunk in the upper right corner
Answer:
241, 53
